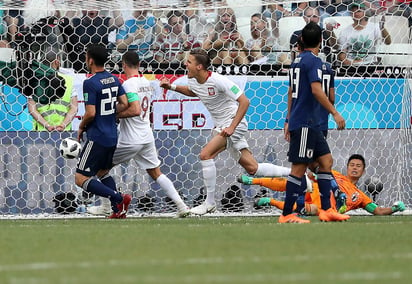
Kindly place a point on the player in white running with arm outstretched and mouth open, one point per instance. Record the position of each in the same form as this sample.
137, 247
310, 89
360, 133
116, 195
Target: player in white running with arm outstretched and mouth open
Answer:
227, 105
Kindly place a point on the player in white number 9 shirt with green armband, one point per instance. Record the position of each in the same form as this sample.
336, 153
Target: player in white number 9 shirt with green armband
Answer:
136, 140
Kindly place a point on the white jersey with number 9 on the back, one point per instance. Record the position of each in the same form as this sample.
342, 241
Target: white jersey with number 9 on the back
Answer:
137, 129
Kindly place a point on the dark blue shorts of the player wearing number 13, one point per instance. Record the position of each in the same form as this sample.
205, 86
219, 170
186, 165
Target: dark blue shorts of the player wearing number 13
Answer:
306, 145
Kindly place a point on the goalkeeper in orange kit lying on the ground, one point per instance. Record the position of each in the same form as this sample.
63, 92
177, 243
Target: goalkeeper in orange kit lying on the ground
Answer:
347, 197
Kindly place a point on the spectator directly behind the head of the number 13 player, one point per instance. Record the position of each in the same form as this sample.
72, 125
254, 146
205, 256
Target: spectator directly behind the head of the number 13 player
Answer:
328, 36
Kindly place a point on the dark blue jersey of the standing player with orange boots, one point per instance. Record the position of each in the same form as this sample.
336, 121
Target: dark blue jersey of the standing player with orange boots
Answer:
305, 109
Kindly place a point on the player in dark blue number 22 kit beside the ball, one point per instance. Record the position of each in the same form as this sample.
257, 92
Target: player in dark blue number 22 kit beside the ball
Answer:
104, 96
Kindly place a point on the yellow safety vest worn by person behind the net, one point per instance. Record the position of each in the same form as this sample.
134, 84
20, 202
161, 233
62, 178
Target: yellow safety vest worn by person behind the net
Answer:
55, 112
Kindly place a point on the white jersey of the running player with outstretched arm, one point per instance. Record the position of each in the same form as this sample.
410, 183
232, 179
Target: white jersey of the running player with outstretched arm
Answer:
219, 95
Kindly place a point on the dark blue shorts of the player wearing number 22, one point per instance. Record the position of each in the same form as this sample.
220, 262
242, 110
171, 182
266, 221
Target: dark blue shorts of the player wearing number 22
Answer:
94, 157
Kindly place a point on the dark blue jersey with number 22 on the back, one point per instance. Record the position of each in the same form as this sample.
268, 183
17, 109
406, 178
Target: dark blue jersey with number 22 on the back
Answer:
102, 90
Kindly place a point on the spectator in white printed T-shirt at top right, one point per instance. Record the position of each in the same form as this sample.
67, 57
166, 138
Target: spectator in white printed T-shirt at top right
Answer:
359, 40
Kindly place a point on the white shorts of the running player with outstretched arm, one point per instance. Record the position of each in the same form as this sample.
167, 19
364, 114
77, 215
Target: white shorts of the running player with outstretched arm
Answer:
236, 141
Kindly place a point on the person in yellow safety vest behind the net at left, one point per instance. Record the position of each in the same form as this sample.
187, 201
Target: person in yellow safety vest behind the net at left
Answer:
53, 104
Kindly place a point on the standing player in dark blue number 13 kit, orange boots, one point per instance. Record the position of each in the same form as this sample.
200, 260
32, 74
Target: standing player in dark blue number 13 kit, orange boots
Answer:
307, 142
